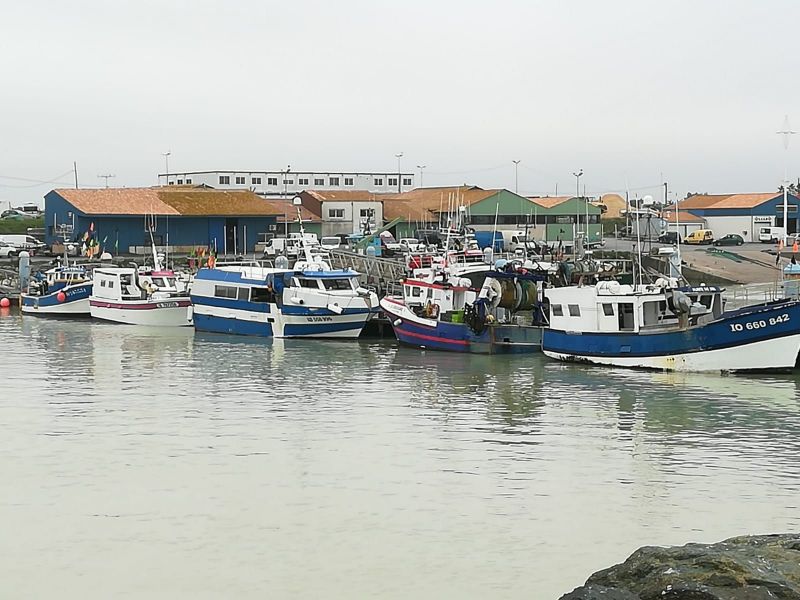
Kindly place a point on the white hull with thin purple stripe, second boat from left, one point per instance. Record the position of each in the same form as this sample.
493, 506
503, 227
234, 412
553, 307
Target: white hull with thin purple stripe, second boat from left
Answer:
174, 312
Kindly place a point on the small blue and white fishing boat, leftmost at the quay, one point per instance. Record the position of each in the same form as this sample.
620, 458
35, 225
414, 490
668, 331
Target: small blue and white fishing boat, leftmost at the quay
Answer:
64, 290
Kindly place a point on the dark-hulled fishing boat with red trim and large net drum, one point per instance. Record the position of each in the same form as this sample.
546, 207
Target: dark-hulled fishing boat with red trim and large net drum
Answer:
471, 307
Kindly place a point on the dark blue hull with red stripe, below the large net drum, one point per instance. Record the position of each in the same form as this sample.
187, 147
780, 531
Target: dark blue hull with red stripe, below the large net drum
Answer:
430, 334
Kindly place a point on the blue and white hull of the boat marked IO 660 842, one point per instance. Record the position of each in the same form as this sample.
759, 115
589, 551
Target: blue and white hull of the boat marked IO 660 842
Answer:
760, 338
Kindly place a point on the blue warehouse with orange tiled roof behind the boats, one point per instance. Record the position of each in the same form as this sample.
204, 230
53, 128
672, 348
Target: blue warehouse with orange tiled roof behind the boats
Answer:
183, 217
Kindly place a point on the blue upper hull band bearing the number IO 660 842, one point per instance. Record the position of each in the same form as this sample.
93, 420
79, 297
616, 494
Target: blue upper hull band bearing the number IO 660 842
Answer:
774, 321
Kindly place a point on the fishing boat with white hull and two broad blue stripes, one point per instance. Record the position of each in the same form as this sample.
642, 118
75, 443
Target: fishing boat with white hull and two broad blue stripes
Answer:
309, 300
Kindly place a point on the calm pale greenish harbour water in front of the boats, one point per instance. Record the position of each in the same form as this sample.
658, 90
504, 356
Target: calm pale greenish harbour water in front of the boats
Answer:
162, 464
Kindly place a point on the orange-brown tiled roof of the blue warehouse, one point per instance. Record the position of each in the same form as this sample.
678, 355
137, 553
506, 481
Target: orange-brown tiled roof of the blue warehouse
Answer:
169, 200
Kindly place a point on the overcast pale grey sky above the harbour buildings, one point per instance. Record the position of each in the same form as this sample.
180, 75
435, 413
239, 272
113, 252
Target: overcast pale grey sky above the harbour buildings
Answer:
625, 90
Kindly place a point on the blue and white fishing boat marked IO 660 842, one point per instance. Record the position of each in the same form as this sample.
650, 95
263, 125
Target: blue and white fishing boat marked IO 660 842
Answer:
664, 327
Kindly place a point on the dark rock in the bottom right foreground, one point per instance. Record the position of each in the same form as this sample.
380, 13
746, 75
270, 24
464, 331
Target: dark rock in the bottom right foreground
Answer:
742, 568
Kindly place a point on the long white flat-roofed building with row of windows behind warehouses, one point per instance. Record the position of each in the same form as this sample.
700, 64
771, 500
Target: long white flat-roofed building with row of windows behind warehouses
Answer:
286, 183
